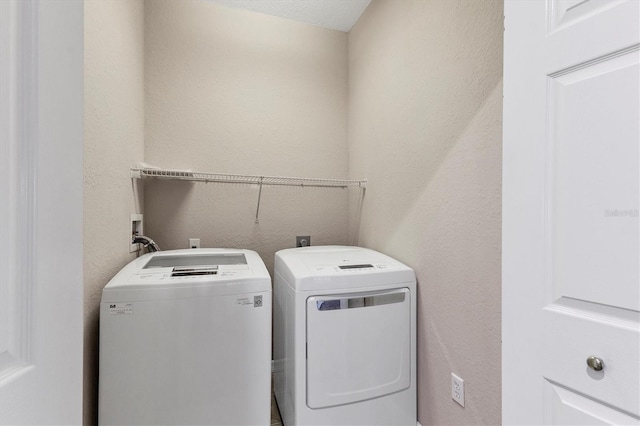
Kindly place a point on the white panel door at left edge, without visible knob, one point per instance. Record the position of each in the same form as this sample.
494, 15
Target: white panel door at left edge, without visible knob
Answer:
41, 306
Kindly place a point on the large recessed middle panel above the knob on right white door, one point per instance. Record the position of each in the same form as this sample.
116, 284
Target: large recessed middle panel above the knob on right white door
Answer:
591, 149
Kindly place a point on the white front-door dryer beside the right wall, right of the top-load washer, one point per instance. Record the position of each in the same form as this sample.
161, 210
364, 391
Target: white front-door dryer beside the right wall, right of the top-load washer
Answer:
344, 337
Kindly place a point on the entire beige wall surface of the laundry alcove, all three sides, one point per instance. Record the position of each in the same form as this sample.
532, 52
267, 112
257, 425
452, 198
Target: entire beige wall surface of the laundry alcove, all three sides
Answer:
410, 99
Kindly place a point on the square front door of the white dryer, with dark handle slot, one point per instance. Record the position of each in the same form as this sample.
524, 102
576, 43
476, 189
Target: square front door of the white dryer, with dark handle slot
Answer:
358, 346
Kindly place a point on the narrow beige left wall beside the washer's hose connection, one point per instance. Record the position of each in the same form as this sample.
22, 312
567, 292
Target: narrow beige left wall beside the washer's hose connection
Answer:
114, 139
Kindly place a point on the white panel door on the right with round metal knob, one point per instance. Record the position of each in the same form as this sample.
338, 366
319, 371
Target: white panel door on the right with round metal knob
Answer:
571, 182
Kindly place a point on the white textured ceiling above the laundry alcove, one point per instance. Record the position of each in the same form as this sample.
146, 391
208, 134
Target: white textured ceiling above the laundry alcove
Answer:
334, 14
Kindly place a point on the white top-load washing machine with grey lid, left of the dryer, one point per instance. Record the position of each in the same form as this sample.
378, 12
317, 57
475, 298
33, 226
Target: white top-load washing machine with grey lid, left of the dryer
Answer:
185, 338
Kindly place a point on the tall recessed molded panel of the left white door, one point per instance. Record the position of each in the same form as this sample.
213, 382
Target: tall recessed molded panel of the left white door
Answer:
18, 164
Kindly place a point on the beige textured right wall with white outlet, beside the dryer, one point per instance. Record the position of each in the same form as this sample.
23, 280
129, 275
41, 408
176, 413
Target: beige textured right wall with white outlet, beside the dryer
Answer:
425, 105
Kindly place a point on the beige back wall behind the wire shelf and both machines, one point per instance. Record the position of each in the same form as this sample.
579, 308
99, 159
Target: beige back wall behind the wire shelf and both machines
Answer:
232, 91
